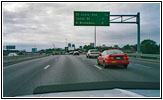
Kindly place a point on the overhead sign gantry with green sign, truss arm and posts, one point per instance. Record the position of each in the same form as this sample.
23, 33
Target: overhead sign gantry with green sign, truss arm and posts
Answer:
89, 18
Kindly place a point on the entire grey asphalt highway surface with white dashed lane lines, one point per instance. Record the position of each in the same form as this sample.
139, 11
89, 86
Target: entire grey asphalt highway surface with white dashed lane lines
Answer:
22, 78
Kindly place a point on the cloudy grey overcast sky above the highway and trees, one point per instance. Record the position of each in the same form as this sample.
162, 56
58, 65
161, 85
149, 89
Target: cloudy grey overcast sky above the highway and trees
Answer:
40, 25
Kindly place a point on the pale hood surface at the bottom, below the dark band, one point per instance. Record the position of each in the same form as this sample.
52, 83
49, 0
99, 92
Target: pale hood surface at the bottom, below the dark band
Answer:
102, 93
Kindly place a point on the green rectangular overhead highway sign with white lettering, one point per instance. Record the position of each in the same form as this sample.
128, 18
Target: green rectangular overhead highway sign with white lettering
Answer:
86, 18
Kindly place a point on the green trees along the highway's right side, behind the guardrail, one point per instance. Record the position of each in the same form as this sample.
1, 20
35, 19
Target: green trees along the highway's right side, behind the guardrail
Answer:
147, 47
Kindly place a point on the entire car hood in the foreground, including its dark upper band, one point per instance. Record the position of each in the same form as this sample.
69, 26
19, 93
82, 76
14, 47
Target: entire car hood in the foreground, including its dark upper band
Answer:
98, 89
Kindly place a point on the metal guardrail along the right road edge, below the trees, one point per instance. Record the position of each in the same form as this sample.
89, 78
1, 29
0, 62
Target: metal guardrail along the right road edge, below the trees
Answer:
157, 56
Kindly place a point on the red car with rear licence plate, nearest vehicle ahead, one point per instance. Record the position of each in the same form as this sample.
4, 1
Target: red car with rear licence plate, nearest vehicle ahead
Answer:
113, 57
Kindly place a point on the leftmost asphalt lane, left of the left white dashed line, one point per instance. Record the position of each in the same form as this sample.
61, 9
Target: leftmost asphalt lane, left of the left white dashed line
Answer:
17, 70
